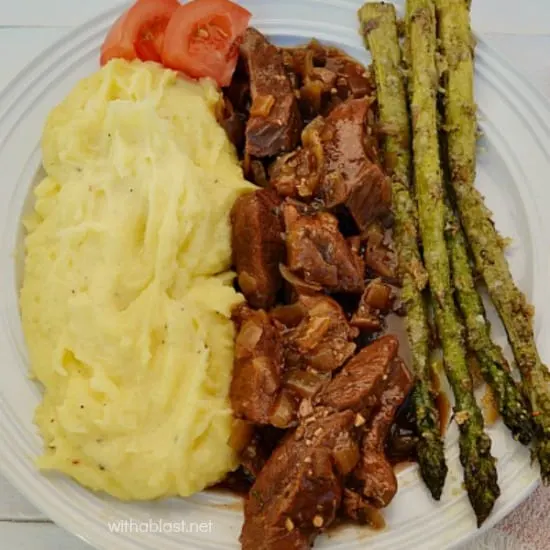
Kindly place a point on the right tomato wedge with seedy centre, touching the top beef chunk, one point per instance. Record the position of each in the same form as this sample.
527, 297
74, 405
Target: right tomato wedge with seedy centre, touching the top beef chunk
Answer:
203, 38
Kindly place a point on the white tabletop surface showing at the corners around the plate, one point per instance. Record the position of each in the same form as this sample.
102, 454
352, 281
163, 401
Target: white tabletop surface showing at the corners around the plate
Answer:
518, 29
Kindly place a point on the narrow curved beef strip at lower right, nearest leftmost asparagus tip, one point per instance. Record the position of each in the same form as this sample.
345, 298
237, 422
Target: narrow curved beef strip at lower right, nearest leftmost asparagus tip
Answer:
374, 471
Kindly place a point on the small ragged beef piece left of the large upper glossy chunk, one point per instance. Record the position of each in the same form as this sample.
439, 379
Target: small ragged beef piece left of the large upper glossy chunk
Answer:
295, 174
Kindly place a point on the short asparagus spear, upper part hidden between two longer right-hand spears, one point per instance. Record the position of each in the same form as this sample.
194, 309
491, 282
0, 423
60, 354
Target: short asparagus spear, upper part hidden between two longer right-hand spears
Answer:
513, 407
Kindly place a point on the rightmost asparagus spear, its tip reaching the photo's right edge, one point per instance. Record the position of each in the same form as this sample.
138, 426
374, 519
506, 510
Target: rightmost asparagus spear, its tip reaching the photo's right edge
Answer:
516, 314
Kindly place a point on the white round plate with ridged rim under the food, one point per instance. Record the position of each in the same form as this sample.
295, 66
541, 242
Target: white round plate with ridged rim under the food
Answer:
512, 172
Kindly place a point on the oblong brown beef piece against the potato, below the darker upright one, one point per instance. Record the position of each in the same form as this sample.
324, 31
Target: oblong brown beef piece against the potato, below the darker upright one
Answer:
258, 368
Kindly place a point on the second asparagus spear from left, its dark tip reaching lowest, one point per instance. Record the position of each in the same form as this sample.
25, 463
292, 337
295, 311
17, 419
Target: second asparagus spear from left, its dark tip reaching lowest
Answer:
480, 475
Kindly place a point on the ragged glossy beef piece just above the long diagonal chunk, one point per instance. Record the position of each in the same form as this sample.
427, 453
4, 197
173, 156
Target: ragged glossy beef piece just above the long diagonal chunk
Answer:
323, 340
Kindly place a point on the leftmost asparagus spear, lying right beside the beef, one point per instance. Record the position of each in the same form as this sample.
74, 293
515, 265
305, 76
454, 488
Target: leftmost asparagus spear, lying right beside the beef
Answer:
379, 26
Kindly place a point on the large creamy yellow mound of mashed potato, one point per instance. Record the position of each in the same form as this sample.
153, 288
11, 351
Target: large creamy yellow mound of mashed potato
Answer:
126, 295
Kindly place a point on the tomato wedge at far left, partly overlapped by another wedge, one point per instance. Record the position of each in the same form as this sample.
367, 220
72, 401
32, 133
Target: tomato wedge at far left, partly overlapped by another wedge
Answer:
139, 32
